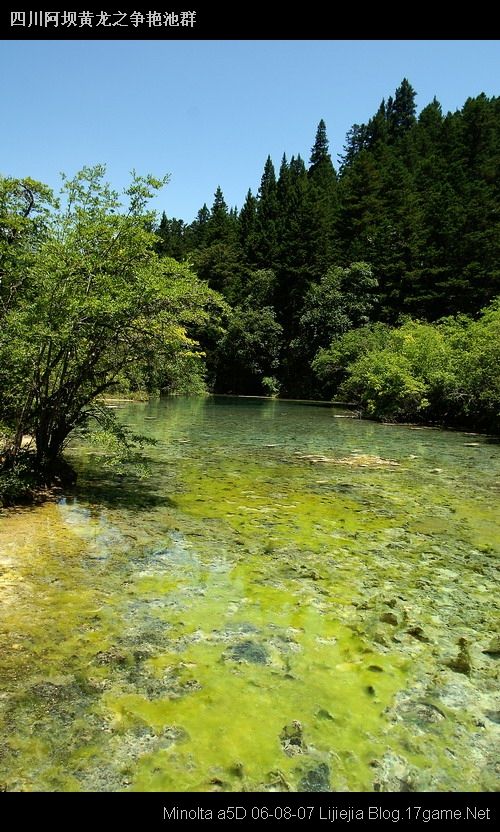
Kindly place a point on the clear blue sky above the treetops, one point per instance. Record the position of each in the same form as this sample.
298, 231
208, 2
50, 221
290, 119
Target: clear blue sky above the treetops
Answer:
209, 112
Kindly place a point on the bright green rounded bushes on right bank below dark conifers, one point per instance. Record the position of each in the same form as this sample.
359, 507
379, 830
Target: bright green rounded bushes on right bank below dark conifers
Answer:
447, 372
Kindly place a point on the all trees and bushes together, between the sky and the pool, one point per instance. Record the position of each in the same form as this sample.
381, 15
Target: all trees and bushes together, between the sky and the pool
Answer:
374, 283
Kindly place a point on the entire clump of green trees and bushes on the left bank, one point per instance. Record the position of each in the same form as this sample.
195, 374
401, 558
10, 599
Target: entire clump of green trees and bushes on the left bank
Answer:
86, 306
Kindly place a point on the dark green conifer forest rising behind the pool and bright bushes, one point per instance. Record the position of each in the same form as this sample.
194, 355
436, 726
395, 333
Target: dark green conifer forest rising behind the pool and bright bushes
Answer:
407, 227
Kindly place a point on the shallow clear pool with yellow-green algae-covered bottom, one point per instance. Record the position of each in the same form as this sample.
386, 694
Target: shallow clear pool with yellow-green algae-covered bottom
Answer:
291, 601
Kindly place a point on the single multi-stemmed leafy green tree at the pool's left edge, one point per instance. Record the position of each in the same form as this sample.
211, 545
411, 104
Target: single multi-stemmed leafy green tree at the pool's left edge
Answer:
95, 299
